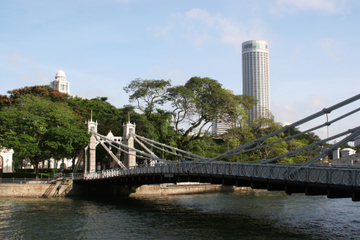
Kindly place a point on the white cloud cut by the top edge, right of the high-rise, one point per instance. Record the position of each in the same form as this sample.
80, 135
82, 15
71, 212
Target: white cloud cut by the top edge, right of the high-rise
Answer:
326, 6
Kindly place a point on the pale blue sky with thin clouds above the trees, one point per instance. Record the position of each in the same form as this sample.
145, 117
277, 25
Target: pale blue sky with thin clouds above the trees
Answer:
314, 49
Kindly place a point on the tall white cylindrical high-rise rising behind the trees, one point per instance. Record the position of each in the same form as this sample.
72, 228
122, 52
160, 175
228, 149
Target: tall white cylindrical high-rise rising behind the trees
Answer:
256, 81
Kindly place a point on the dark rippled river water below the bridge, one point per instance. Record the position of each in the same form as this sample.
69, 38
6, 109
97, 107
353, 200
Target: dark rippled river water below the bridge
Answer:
238, 215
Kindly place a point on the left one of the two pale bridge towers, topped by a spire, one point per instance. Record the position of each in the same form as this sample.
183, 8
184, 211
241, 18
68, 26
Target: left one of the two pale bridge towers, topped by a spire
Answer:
90, 150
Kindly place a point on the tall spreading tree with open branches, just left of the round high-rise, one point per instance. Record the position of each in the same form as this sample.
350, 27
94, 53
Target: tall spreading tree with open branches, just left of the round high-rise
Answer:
201, 101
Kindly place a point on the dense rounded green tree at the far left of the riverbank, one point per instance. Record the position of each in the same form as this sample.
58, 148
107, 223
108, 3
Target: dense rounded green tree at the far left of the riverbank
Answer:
40, 129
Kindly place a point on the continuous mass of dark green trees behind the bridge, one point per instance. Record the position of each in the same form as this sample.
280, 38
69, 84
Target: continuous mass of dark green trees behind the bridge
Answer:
52, 124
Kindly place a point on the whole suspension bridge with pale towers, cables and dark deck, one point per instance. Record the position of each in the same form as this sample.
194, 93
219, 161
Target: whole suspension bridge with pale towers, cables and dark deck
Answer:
311, 177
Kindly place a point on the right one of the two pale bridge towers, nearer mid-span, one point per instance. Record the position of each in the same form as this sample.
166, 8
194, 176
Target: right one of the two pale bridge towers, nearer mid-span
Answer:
128, 139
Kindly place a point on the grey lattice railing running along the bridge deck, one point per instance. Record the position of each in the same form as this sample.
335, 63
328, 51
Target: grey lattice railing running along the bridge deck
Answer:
295, 173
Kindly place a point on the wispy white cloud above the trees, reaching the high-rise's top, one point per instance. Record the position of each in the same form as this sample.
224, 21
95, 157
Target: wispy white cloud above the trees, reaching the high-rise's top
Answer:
199, 27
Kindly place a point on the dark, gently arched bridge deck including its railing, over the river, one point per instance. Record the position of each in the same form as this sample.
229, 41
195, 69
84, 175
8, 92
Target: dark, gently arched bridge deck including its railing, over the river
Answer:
315, 180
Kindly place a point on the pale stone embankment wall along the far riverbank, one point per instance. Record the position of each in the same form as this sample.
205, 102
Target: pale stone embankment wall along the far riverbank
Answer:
73, 190
